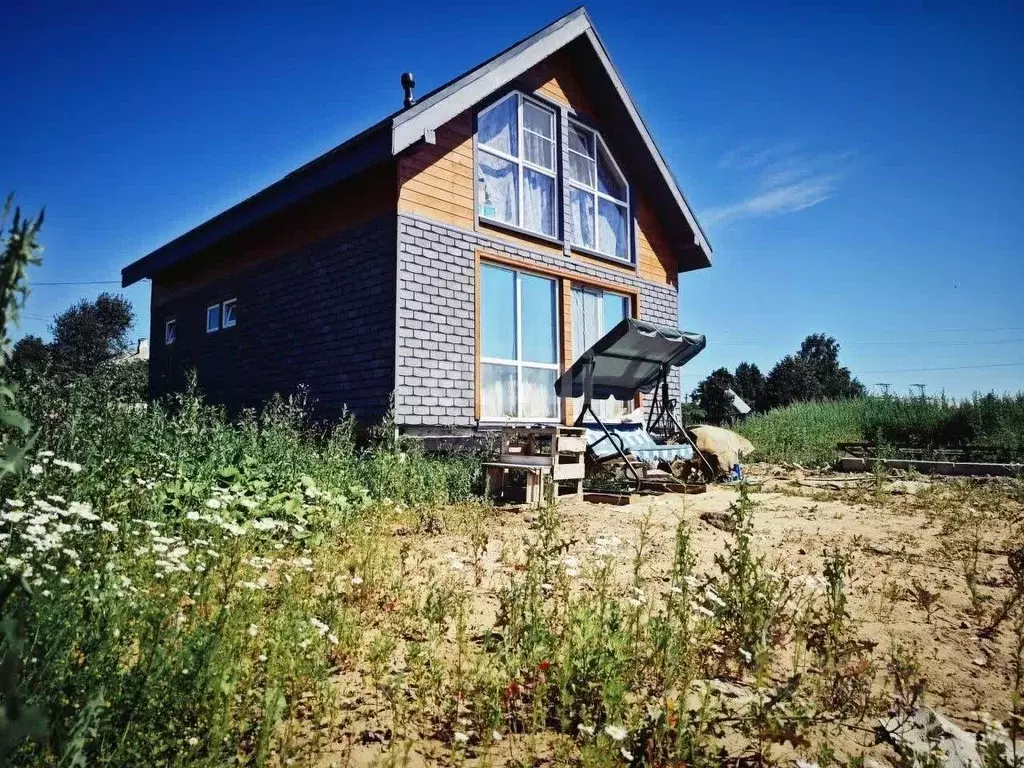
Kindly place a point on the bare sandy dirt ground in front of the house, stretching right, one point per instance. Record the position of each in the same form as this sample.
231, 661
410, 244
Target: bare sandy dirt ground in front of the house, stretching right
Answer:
900, 534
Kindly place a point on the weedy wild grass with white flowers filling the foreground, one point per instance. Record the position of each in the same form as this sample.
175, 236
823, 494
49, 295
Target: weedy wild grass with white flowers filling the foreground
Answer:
200, 591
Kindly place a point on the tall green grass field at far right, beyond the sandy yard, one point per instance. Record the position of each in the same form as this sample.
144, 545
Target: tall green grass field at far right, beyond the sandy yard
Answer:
808, 433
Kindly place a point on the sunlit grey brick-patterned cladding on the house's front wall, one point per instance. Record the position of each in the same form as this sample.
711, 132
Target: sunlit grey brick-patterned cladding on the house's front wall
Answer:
436, 314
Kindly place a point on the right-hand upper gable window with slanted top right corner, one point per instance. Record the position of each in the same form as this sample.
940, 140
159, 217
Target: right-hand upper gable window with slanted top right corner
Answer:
600, 197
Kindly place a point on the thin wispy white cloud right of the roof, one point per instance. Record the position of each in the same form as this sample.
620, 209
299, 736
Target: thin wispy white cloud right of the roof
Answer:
786, 183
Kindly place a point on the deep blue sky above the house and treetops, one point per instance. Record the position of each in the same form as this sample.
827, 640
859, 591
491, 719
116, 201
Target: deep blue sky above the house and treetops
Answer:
859, 174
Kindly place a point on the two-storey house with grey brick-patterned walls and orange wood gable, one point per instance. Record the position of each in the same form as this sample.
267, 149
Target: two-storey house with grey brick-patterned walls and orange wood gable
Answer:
458, 254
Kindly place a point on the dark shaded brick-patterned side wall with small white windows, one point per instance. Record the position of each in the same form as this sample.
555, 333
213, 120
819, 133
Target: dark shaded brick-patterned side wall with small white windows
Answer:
321, 317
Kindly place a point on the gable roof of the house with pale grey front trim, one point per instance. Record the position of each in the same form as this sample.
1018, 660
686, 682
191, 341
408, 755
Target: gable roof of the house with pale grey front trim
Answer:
406, 127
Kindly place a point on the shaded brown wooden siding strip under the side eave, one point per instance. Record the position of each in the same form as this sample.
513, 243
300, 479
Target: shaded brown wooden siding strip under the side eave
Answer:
332, 212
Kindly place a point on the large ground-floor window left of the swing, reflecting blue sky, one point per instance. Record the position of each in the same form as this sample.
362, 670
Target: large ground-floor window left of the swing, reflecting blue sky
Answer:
519, 346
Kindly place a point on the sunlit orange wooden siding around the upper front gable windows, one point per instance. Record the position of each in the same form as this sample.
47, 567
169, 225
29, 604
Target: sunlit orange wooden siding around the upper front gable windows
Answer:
438, 181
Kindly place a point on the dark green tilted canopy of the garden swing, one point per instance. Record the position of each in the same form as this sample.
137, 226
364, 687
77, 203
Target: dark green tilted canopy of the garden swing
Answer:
630, 359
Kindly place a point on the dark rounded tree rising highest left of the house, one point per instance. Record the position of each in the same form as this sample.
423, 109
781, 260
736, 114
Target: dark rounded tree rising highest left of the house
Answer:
91, 333
